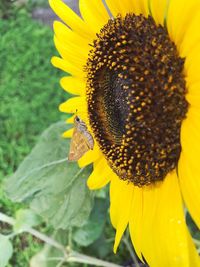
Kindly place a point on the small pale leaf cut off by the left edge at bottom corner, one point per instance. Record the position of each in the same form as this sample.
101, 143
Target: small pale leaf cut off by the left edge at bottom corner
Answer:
6, 250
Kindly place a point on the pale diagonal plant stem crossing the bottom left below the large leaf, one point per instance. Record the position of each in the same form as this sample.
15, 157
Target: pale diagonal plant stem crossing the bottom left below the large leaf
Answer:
68, 255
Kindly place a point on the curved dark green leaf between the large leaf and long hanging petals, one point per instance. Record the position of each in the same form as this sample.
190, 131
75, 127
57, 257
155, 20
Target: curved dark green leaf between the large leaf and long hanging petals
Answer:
93, 228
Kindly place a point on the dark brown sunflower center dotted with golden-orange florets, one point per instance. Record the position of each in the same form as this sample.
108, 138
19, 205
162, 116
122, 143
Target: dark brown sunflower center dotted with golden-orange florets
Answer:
136, 98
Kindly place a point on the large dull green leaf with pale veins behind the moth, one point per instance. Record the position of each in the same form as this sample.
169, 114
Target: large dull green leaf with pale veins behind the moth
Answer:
54, 187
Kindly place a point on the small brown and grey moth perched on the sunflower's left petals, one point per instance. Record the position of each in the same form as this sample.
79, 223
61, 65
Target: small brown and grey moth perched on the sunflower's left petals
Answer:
81, 141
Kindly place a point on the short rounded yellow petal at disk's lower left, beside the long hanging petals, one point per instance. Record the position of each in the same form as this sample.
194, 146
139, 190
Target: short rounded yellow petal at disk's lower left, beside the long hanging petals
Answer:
100, 175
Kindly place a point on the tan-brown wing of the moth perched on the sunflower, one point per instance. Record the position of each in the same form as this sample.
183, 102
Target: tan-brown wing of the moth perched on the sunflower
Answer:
79, 145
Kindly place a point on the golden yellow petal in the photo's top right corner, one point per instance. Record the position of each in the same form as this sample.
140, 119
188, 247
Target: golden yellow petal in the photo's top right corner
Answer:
179, 17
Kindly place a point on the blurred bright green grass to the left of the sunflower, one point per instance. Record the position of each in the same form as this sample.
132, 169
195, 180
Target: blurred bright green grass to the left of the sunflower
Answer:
29, 88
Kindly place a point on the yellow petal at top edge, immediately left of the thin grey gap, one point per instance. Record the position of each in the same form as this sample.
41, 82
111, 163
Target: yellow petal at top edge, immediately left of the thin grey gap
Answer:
94, 13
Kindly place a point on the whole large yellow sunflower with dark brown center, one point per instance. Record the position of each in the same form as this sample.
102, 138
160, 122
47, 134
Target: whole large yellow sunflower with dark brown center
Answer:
135, 79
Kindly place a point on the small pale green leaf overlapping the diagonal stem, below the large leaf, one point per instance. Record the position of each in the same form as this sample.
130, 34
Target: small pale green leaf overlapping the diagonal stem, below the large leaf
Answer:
25, 219
